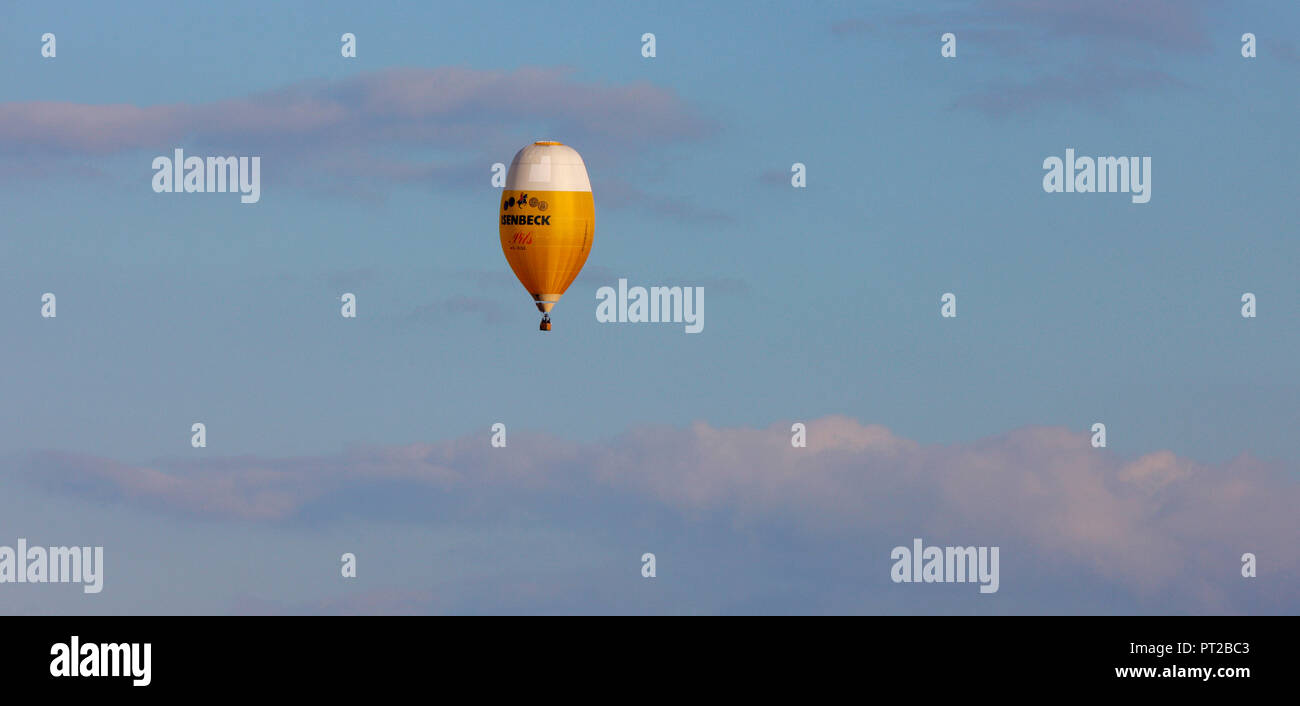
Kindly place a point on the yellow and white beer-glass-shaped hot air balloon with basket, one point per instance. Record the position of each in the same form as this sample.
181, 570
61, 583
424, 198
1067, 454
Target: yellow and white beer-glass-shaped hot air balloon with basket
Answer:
548, 220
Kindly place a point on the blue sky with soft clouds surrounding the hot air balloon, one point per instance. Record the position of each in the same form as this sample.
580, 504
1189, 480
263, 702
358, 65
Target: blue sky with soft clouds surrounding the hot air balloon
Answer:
925, 176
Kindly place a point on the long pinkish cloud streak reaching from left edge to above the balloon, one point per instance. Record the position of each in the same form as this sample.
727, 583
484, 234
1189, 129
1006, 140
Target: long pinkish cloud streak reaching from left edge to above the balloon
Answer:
396, 105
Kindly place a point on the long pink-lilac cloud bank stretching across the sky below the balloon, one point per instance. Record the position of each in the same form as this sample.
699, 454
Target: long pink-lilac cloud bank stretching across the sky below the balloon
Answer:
1154, 525
